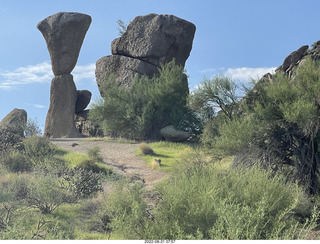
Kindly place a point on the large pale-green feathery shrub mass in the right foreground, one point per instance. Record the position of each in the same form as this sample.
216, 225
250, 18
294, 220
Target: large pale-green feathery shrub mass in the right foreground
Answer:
201, 202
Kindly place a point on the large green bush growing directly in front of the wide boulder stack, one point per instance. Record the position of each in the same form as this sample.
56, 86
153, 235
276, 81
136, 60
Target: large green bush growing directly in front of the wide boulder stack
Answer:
139, 112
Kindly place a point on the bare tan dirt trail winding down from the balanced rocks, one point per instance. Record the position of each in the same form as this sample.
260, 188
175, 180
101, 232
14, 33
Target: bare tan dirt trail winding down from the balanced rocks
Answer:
121, 156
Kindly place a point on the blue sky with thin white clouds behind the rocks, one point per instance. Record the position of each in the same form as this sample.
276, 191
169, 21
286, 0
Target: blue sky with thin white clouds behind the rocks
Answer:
242, 38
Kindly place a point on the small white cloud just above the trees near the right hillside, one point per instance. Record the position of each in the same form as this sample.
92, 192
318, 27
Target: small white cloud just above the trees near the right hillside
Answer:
246, 73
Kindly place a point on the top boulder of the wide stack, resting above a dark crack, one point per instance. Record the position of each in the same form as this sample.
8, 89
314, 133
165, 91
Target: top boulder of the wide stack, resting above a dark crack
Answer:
156, 39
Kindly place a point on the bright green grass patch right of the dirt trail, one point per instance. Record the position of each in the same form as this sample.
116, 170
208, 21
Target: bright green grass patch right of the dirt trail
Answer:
167, 152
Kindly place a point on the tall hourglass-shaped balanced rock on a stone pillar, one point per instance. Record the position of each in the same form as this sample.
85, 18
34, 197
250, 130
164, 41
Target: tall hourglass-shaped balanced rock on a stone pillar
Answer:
64, 33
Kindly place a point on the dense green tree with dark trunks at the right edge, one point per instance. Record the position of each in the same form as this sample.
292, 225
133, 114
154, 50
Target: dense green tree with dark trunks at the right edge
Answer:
285, 123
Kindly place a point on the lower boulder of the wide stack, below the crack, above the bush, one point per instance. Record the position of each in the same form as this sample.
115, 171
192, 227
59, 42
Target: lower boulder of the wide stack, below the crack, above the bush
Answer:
123, 68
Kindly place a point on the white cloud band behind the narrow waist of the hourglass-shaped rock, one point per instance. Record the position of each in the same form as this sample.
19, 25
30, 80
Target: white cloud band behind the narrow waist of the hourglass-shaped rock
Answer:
40, 73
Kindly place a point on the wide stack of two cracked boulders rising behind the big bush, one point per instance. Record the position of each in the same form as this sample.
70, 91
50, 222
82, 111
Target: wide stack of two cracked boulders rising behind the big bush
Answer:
149, 42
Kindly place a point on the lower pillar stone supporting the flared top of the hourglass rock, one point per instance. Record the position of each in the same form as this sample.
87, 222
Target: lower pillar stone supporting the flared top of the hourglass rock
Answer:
60, 117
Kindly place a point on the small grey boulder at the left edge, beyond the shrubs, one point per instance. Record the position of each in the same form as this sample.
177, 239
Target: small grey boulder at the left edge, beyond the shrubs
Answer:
15, 122
